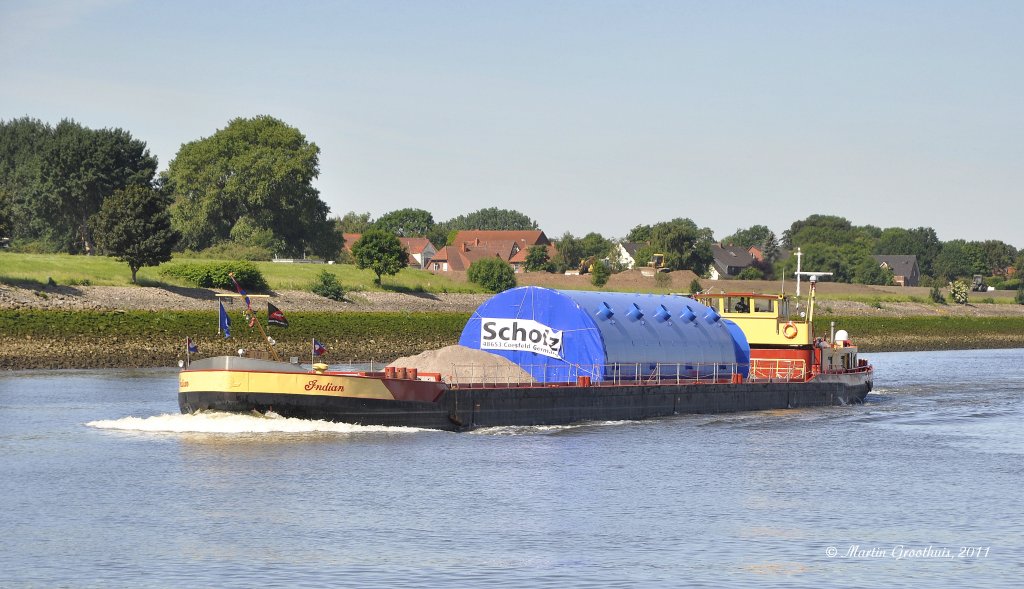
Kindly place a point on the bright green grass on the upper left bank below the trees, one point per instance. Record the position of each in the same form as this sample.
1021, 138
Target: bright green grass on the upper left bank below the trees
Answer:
38, 270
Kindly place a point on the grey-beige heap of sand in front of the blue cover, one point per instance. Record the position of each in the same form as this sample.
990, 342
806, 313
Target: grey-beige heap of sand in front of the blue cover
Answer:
461, 365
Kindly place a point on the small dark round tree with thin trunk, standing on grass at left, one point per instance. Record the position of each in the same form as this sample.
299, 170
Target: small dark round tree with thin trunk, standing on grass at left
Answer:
134, 226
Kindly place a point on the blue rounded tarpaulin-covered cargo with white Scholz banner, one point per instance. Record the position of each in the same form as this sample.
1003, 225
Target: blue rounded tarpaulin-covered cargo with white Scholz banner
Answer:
561, 335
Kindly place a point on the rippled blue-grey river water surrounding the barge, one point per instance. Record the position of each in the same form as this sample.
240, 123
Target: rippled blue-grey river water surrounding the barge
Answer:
104, 485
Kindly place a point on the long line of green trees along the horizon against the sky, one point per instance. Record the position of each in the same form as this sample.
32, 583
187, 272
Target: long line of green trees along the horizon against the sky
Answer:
246, 193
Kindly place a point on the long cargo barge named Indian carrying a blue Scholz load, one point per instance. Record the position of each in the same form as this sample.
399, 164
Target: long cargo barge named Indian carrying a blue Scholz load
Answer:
579, 357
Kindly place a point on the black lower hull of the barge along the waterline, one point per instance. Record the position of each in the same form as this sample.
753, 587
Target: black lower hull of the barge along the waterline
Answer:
464, 409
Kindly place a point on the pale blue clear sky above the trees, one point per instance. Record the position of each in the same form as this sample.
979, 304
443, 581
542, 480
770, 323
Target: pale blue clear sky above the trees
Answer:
587, 116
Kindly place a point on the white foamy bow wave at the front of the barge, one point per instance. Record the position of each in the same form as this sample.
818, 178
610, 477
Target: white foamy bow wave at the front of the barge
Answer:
218, 423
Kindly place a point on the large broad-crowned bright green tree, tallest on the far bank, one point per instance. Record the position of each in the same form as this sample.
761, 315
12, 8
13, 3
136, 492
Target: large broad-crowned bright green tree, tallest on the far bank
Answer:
258, 170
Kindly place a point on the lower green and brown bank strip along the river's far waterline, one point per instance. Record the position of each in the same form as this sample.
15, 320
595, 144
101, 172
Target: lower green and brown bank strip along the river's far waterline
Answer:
105, 340
